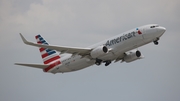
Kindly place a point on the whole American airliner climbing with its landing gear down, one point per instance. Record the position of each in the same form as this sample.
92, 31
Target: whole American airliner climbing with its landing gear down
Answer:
122, 47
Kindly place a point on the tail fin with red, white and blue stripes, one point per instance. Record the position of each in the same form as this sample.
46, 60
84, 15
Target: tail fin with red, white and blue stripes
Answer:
49, 56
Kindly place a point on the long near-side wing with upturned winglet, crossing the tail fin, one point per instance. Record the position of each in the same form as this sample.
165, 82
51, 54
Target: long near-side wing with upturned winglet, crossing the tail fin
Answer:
62, 49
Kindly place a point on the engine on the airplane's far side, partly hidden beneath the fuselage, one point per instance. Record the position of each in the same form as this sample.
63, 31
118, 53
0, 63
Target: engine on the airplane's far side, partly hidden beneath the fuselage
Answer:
132, 56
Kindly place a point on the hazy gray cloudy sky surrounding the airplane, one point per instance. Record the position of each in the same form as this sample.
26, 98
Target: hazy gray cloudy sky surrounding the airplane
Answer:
82, 23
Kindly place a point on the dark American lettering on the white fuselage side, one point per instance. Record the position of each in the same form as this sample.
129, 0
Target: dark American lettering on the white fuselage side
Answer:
121, 38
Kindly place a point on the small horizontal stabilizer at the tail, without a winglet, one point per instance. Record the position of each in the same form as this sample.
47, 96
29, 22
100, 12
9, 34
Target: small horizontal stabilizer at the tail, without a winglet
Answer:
40, 66
